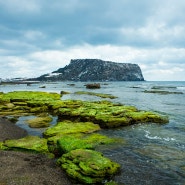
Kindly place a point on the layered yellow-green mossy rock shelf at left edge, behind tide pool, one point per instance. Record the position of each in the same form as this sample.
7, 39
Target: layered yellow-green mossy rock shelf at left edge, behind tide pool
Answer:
17, 102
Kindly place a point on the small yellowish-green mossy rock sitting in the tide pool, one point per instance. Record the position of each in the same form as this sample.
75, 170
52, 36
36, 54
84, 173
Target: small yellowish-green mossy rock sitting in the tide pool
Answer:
39, 122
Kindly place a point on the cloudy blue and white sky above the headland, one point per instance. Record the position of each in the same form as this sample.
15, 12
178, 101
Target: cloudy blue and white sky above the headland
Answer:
40, 36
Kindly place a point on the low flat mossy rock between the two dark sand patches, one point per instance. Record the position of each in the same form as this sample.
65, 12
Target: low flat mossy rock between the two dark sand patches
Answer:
29, 143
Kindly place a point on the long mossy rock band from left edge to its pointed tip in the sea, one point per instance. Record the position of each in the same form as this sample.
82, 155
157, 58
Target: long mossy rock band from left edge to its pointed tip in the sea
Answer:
104, 113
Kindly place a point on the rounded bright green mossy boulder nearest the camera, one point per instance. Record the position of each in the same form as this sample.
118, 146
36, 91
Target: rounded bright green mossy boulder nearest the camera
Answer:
87, 166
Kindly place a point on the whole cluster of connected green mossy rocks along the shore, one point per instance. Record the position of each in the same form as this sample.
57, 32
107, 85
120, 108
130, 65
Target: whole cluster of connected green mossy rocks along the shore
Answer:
73, 140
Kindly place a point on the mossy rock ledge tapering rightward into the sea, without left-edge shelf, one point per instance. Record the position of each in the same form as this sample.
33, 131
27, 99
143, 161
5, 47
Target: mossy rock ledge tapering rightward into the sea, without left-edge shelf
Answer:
107, 114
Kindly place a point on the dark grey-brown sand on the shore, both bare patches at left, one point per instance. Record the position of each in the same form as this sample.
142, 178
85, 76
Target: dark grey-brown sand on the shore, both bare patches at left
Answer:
20, 168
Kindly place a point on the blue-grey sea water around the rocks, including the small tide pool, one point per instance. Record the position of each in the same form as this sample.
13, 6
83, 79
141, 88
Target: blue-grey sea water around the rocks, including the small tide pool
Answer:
151, 154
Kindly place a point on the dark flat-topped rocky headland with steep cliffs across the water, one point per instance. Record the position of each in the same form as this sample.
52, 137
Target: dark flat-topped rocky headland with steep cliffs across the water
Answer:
96, 70
